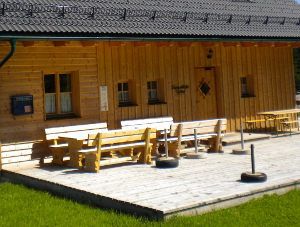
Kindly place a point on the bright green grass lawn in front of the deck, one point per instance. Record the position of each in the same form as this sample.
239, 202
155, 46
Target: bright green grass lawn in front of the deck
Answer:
22, 207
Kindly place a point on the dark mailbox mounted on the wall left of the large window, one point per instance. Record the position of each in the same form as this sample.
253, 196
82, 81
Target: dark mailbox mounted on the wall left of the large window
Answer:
22, 105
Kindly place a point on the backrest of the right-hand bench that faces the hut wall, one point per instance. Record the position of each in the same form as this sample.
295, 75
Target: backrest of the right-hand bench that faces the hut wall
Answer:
202, 126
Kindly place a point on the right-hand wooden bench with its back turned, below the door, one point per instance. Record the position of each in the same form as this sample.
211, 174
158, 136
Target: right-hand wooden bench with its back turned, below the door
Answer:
210, 130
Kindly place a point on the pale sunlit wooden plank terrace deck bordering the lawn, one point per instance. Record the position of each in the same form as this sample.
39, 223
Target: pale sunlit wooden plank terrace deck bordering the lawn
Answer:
196, 186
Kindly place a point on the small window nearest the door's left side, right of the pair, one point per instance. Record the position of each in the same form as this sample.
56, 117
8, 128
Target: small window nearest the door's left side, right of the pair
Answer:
155, 92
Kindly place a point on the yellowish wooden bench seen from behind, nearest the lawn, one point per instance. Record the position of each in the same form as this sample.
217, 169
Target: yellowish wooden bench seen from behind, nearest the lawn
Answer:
118, 140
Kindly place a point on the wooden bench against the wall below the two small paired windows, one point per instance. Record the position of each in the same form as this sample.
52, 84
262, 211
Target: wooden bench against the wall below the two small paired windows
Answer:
160, 123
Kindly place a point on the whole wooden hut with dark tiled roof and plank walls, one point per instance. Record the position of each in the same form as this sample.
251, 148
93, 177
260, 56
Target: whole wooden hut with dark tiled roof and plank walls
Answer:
94, 61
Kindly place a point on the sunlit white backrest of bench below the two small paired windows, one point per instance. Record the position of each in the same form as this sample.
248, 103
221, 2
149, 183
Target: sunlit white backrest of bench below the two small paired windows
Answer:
159, 123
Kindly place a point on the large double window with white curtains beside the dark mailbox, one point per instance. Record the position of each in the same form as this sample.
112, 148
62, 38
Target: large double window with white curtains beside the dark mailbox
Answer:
59, 95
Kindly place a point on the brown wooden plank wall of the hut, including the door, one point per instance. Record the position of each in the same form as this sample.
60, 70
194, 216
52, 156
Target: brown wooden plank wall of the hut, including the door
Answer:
267, 66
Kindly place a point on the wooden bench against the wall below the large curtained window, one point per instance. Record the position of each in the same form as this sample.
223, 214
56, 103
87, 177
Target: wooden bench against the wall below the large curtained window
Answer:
60, 149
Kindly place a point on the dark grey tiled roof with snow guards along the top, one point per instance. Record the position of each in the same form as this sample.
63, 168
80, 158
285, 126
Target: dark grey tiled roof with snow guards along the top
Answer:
213, 18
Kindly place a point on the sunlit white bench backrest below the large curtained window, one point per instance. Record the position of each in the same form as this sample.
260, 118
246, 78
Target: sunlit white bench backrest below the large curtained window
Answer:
54, 132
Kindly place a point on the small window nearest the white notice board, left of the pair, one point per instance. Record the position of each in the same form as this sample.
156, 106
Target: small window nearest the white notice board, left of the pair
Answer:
126, 93
